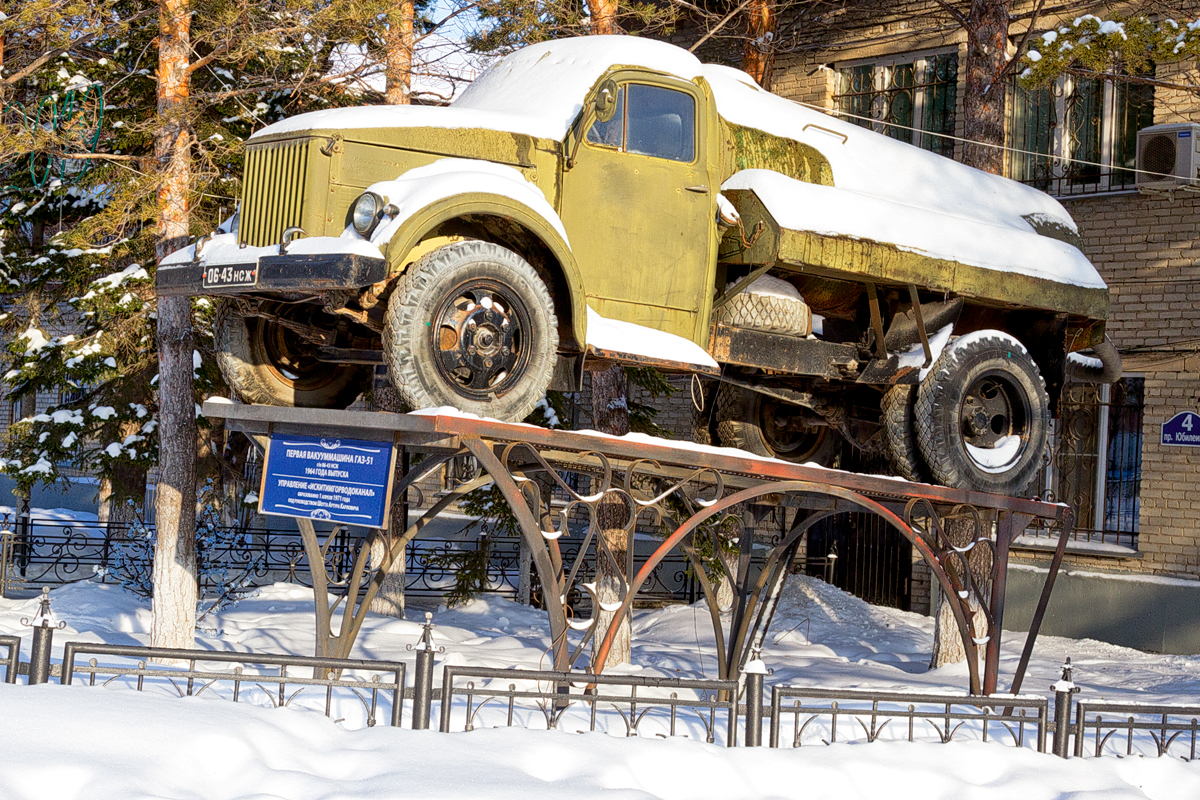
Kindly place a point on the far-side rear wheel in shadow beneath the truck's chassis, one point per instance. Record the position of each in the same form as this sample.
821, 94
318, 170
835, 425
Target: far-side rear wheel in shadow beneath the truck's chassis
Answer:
749, 422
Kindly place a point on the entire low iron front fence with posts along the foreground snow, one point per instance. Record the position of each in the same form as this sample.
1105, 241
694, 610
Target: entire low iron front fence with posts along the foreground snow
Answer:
362, 693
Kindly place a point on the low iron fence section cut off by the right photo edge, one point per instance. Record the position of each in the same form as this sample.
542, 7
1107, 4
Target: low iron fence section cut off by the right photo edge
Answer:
1137, 729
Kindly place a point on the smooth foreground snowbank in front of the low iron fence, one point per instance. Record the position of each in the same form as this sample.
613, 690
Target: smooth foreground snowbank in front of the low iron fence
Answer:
81, 743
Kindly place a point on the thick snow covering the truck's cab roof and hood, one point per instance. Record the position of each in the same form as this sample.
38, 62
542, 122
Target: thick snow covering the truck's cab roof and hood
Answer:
538, 91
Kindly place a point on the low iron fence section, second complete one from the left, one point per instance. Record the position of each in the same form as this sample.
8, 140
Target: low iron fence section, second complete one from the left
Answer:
631, 706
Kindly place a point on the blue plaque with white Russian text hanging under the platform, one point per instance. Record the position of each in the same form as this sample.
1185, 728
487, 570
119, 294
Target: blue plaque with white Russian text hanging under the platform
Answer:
322, 478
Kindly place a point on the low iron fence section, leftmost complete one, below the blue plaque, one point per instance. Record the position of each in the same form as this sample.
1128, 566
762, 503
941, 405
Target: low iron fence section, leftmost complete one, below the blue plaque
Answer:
257, 678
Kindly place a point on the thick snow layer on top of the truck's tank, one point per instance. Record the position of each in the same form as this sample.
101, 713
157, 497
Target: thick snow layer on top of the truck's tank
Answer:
878, 166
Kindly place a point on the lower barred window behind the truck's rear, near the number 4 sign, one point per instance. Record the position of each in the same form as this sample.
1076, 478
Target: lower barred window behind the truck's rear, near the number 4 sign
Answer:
1096, 460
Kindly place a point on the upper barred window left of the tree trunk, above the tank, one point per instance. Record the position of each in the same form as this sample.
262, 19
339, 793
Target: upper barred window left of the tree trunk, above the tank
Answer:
913, 99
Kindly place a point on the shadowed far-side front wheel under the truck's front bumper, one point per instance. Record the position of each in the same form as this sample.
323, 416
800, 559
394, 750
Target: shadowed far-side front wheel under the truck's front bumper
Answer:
265, 363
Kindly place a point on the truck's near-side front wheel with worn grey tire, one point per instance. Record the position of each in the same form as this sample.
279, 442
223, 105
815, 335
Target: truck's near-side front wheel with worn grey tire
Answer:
447, 346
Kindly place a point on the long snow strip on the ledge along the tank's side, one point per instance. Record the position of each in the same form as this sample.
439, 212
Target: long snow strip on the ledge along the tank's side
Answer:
940, 233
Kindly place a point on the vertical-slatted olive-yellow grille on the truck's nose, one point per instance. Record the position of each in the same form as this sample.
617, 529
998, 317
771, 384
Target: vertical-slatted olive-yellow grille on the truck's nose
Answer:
273, 191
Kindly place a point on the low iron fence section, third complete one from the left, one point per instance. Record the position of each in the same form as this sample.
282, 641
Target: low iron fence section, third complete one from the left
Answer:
920, 718
